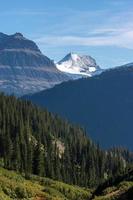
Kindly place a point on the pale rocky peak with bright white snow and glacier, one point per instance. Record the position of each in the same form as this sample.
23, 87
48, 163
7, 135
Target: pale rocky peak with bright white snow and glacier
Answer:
81, 65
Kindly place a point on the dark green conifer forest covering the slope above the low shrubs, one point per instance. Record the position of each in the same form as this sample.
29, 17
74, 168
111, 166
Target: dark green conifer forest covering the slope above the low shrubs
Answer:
34, 141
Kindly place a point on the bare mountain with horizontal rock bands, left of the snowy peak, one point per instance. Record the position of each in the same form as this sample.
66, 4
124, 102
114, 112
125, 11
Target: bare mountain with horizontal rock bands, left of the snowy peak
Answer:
23, 68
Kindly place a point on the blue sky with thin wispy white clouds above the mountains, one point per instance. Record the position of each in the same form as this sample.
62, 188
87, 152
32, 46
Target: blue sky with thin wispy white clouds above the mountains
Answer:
100, 28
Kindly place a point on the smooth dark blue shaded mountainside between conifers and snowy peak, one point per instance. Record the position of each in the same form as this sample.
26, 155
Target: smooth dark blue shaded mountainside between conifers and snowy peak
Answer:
102, 104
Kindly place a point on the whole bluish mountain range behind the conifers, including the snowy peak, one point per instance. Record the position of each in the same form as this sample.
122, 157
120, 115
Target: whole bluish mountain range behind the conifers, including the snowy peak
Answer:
100, 102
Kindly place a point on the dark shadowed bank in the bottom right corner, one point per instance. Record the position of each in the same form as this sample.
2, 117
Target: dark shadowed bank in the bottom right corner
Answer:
117, 188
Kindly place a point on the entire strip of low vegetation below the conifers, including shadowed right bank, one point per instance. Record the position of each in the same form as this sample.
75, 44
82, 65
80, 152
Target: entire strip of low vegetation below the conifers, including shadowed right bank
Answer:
14, 186
